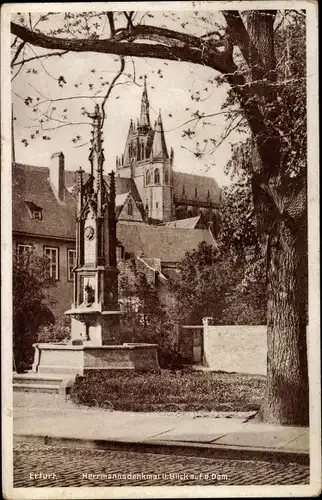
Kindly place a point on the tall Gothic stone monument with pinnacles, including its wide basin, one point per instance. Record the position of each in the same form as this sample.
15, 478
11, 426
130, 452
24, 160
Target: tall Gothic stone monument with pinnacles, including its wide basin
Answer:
95, 313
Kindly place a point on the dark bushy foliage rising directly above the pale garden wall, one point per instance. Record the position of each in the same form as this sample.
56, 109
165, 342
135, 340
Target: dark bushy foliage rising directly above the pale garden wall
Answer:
212, 283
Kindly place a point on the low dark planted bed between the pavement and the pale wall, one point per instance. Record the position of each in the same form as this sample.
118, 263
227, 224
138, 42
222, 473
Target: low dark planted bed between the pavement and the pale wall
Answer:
169, 391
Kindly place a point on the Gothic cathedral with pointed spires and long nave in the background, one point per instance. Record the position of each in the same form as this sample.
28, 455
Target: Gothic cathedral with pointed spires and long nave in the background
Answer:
163, 194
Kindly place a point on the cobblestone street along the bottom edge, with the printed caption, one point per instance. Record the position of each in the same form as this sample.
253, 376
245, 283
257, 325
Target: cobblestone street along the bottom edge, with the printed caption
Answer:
72, 467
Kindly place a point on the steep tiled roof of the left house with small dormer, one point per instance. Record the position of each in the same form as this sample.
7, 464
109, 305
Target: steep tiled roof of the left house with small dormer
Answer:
31, 184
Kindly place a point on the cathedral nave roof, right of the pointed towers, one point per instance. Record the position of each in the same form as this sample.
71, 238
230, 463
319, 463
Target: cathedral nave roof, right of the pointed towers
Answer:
192, 182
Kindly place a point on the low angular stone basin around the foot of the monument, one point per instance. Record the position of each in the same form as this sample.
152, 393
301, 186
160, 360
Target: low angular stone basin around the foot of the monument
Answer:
78, 359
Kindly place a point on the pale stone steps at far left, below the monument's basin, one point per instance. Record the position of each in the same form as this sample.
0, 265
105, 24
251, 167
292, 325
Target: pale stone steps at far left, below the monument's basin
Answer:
47, 383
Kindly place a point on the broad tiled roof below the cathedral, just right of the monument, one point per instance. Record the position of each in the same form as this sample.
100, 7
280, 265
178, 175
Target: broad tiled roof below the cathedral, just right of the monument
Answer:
166, 243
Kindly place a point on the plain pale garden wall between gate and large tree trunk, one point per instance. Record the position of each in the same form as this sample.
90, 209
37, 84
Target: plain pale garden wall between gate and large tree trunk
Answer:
236, 348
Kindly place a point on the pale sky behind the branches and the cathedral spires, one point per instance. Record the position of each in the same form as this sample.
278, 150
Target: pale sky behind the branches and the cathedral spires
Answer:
171, 86
